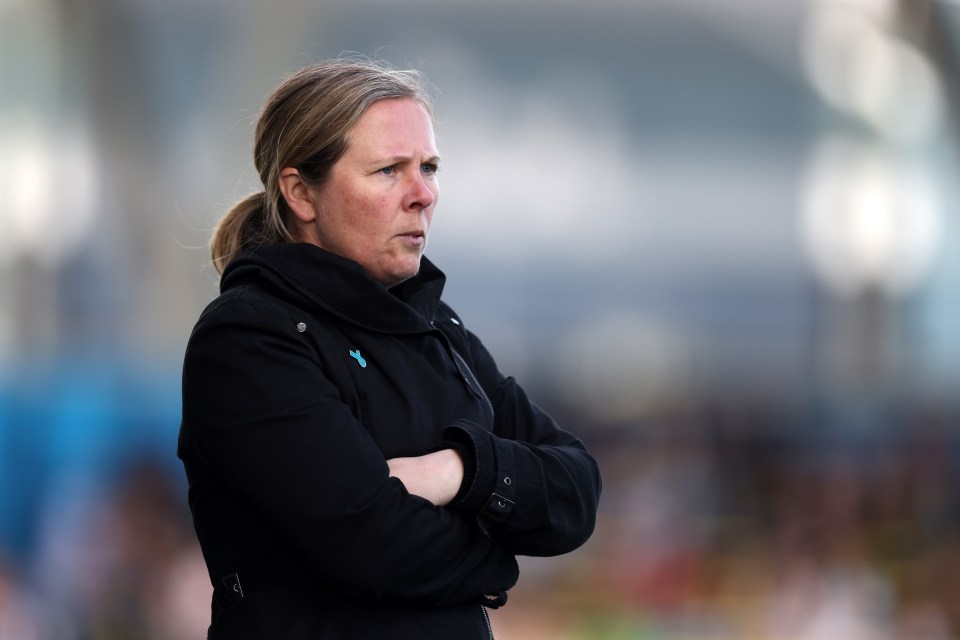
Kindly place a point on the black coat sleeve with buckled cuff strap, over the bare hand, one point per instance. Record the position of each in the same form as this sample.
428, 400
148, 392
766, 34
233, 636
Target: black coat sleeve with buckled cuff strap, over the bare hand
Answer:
535, 485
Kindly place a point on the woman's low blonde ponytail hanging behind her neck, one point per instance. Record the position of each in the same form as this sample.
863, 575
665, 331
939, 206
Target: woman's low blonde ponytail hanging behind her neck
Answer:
247, 223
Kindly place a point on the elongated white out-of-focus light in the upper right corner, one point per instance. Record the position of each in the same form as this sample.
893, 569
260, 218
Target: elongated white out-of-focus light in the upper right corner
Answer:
861, 69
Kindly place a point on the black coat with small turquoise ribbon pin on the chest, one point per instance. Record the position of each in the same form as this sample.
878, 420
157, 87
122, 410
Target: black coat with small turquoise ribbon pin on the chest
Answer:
299, 381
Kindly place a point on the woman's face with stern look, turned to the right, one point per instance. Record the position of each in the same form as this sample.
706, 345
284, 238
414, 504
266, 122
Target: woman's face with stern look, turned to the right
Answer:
377, 204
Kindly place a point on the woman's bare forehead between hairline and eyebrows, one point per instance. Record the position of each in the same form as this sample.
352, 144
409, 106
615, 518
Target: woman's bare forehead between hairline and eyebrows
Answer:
393, 126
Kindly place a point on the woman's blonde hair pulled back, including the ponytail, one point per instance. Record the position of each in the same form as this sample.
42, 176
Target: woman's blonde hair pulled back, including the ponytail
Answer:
305, 124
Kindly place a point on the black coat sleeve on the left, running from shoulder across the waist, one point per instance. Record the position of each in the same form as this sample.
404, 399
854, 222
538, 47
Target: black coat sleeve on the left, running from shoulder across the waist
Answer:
262, 417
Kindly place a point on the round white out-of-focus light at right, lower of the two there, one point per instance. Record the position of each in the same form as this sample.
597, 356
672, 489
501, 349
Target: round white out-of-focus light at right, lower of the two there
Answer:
870, 220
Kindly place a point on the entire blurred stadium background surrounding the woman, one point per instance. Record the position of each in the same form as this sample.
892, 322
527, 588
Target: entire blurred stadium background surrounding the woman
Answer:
719, 239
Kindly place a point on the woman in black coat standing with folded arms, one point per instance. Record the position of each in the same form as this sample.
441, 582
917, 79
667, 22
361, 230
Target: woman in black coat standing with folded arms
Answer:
358, 467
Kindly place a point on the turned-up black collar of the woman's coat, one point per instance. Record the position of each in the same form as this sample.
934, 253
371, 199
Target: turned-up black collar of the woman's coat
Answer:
309, 276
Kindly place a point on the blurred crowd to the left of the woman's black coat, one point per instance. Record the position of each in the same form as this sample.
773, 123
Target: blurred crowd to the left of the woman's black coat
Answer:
115, 566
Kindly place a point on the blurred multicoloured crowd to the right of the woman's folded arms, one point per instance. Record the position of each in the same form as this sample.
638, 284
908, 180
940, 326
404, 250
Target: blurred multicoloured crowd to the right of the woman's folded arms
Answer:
744, 519
